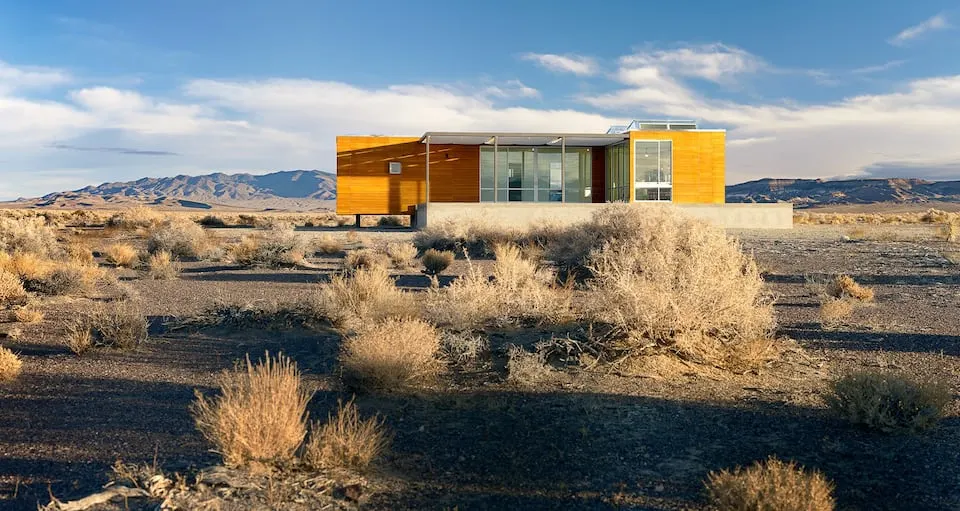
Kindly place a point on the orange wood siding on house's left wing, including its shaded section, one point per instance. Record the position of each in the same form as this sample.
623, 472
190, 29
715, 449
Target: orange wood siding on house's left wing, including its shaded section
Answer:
365, 186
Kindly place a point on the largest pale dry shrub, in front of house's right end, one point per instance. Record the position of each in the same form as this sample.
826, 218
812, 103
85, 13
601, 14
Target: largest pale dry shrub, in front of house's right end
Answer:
675, 283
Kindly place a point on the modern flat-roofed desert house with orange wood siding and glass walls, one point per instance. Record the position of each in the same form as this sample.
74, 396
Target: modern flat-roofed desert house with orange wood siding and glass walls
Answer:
513, 175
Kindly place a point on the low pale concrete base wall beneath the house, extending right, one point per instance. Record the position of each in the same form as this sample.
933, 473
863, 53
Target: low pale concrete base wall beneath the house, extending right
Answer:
522, 215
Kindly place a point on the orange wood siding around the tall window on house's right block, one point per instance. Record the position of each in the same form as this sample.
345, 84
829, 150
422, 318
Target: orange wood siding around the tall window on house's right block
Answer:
699, 164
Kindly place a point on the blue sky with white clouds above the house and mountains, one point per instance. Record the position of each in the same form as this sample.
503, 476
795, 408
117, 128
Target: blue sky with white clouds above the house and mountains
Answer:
99, 90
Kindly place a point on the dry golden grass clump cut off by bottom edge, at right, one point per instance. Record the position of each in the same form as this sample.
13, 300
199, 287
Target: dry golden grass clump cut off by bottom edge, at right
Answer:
771, 485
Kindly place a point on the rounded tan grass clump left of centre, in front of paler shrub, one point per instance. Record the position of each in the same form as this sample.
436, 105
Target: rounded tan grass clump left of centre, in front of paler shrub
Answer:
392, 354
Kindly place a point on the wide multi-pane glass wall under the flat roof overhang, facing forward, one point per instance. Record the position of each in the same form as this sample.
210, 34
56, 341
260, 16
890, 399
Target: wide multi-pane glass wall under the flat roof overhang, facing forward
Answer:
535, 174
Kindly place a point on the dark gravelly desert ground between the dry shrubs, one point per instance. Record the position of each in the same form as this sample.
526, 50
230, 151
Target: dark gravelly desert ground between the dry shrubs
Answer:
487, 433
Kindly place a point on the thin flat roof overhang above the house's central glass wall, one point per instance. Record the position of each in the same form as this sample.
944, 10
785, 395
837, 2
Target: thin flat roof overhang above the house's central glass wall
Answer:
523, 139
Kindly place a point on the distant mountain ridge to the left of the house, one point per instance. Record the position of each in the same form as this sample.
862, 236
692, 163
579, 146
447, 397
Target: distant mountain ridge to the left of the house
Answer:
293, 189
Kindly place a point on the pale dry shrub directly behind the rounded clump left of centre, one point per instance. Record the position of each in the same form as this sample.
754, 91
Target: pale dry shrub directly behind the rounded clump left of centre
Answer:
365, 297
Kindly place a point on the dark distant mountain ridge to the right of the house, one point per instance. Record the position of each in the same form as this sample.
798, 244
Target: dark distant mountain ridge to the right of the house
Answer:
816, 192
